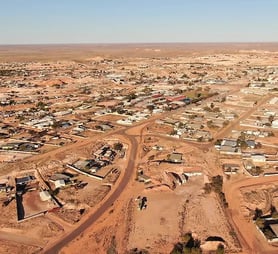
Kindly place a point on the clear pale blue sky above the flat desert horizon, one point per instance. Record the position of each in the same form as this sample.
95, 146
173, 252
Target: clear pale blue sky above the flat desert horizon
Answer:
110, 21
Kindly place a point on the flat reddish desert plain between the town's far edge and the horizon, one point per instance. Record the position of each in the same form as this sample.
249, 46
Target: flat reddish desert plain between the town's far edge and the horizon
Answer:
81, 52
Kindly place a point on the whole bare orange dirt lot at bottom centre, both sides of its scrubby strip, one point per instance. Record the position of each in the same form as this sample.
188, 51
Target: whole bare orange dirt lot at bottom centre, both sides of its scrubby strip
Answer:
197, 212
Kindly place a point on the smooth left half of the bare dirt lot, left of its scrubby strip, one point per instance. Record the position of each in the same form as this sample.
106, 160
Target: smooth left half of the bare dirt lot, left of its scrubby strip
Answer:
157, 225
